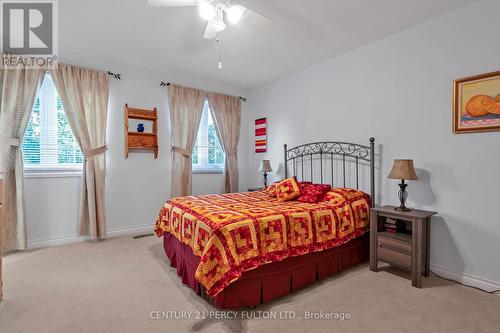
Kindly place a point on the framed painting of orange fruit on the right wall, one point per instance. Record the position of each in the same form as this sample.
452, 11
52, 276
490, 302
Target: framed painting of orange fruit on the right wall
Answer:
476, 103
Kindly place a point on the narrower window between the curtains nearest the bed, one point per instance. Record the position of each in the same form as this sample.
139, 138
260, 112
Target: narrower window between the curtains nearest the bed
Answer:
208, 155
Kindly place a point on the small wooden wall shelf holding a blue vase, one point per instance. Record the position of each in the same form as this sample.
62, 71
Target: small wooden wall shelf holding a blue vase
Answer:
141, 140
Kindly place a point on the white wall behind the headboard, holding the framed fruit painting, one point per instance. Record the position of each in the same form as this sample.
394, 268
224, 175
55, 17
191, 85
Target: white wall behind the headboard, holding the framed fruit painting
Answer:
399, 90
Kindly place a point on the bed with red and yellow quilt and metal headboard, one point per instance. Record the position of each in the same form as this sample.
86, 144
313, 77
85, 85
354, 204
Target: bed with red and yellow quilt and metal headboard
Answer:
242, 249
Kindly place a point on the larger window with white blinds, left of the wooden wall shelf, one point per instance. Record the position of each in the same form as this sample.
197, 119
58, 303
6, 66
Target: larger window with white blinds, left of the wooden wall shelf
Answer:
49, 143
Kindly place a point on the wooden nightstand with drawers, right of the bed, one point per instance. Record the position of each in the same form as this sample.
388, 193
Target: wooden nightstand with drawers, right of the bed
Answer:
408, 251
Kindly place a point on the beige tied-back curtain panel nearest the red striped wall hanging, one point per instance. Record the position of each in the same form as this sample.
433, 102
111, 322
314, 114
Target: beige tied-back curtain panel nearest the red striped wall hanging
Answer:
227, 114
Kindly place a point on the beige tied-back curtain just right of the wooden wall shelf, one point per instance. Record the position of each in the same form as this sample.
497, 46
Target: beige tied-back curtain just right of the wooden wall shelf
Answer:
186, 108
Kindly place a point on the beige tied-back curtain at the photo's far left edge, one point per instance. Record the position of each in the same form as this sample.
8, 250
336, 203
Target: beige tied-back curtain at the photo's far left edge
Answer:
18, 89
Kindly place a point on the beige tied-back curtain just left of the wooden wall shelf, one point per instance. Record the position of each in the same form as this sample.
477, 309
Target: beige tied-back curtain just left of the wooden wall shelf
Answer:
84, 94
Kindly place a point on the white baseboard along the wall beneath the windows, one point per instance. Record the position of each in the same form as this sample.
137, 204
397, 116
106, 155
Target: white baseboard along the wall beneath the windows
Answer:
140, 229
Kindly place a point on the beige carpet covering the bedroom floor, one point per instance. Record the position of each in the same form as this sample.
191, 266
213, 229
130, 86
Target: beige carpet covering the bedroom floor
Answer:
113, 286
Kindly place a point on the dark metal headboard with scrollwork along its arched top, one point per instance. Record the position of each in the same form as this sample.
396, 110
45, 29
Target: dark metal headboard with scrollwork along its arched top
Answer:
345, 152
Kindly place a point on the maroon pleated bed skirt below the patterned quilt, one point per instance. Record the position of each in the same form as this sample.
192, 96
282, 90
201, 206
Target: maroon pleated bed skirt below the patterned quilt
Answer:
272, 280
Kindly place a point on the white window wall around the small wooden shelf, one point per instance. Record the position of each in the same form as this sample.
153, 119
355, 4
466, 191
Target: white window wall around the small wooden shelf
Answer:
135, 187
